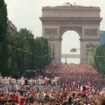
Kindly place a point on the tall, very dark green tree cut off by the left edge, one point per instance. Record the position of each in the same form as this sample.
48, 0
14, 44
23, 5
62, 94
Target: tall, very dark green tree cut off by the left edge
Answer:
3, 38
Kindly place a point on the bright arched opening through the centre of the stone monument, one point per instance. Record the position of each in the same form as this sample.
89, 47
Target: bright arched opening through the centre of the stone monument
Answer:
70, 47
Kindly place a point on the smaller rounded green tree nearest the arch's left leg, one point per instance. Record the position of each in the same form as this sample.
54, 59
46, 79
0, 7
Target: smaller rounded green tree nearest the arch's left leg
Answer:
41, 53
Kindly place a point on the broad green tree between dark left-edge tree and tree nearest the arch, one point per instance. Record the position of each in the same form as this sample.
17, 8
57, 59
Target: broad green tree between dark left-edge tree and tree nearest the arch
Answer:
19, 51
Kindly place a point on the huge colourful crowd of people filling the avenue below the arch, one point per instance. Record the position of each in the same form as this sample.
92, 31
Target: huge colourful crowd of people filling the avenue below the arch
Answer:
62, 86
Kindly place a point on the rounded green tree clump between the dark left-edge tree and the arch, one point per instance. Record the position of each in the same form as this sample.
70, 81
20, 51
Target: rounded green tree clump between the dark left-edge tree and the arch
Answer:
27, 53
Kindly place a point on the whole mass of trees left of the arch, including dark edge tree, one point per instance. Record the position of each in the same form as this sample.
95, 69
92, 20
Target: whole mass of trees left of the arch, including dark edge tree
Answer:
19, 51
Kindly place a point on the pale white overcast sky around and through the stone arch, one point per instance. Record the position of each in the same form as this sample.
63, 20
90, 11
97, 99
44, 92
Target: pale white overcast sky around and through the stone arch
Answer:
26, 13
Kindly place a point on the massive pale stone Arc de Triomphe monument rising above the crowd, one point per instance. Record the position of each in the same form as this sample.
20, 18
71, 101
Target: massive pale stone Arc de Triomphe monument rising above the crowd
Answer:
59, 19
